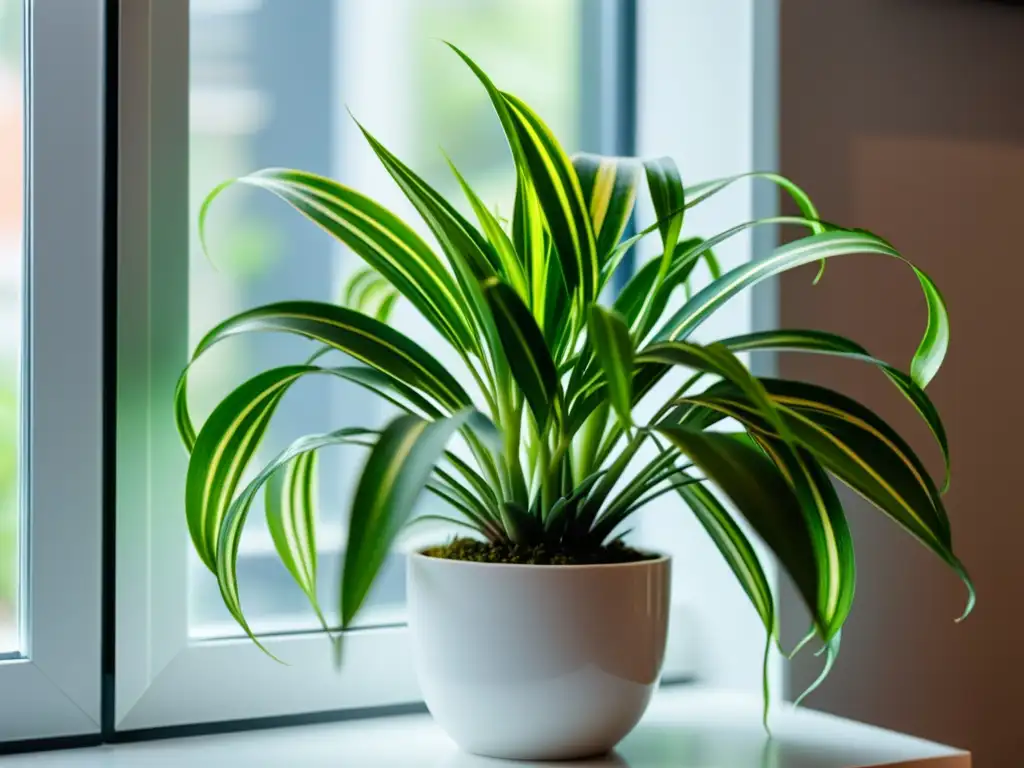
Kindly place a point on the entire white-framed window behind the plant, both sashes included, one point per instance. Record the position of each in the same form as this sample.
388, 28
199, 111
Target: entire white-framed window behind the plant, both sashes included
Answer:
205, 91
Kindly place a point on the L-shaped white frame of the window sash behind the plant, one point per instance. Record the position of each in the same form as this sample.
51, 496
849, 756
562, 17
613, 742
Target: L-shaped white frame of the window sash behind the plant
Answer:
164, 678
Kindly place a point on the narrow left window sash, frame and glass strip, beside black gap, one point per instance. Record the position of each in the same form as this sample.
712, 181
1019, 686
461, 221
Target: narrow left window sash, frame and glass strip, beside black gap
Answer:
52, 292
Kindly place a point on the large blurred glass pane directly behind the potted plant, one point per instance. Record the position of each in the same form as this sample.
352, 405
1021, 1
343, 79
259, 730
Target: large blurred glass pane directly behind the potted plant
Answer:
271, 84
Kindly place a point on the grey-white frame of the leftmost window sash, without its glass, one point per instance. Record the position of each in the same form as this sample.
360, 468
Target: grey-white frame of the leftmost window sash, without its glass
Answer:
54, 690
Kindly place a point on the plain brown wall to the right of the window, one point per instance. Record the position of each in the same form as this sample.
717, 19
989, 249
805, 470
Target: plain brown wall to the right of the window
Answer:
907, 117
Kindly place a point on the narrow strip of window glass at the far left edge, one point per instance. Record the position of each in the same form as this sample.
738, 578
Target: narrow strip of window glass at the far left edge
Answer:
12, 123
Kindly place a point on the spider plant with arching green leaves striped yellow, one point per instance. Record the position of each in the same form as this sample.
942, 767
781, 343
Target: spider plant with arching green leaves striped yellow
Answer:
548, 409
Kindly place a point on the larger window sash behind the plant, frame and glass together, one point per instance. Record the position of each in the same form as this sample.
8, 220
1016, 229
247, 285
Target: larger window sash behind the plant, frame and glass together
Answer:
268, 83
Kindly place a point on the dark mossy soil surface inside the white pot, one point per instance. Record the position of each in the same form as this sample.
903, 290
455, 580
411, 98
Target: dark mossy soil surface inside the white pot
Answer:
475, 551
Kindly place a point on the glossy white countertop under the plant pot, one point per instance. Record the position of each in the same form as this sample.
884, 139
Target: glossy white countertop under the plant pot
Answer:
687, 728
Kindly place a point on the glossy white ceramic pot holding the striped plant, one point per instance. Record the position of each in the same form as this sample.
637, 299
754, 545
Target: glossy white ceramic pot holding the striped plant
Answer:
538, 662
